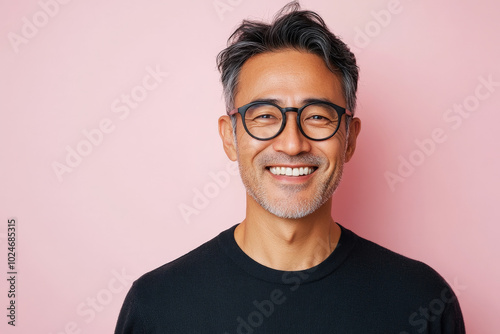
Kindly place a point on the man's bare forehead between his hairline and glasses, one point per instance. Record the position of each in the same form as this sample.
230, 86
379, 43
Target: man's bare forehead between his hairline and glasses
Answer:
288, 75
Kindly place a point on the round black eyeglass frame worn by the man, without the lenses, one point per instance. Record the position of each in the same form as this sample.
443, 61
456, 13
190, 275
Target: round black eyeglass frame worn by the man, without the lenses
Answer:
243, 109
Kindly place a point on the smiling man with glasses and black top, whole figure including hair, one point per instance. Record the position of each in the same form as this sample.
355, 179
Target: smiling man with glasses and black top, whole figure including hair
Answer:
290, 90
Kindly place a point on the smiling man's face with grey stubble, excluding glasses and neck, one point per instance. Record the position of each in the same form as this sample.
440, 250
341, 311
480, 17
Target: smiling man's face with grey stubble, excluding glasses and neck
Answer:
290, 77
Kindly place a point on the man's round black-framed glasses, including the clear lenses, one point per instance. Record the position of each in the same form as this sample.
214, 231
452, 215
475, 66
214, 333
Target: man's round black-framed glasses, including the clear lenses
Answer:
317, 120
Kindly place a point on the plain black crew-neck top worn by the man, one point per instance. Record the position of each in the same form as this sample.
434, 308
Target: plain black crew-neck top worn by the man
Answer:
360, 288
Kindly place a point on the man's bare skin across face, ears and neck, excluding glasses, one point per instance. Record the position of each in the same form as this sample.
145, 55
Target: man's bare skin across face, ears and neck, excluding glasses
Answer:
291, 77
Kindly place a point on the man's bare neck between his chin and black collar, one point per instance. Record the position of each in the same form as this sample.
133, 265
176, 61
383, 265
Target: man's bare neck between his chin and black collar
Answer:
287, 244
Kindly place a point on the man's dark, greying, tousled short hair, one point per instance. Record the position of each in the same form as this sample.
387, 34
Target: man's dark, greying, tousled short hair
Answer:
291, 28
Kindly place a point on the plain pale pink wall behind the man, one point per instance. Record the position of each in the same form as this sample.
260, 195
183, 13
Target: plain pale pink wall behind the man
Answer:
118, 212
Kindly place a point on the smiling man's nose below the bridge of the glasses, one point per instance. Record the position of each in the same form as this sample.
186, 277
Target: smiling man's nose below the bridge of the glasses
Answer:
291, 141
